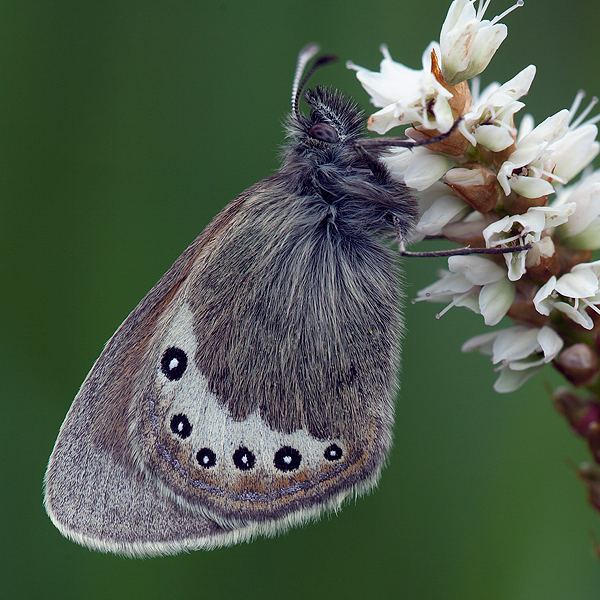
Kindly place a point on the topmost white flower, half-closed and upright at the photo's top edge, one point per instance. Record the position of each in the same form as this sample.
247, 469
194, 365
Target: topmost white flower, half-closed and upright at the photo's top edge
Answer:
467, 41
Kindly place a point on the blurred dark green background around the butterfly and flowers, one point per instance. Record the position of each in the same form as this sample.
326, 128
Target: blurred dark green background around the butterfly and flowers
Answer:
125, 126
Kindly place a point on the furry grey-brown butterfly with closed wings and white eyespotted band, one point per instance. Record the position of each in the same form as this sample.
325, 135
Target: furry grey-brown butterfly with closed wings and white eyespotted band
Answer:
293, 330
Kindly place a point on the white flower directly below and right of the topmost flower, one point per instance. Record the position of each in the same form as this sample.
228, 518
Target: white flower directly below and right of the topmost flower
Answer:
490, 120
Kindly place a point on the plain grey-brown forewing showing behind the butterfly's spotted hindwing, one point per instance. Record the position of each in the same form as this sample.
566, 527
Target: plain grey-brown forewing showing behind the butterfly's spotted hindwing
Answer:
97, 489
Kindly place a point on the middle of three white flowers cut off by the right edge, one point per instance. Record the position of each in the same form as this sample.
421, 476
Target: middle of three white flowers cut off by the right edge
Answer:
582, 230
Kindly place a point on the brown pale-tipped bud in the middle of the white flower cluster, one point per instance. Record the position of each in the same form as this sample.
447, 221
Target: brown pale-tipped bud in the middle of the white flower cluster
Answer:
475, 184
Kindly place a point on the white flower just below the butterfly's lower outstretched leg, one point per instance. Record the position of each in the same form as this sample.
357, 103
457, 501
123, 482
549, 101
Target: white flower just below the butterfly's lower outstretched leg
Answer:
474, 282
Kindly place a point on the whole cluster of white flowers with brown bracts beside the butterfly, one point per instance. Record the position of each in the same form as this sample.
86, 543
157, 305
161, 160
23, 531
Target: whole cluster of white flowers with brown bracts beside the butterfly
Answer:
491, 184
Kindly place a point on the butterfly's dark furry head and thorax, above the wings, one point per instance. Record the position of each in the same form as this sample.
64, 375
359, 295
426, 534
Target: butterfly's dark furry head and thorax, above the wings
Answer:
336, 174
